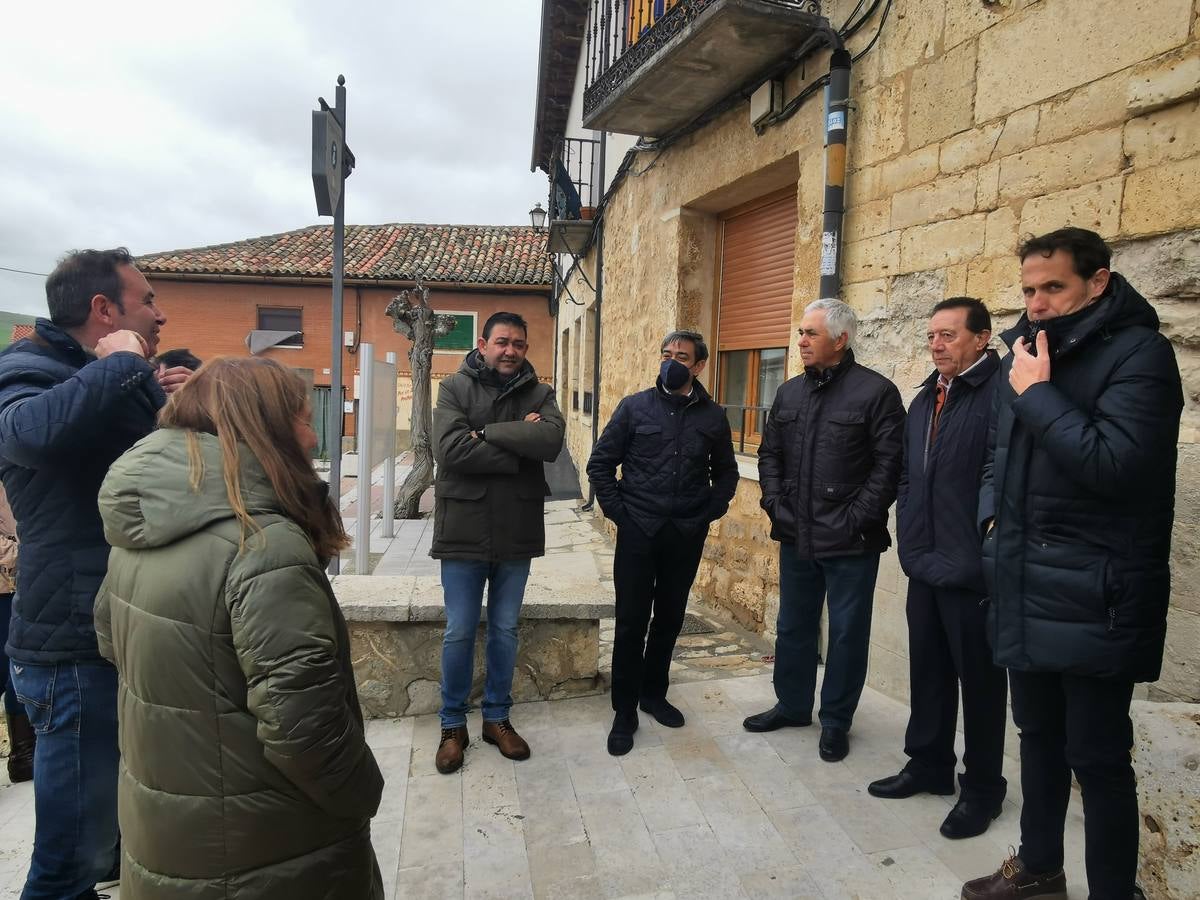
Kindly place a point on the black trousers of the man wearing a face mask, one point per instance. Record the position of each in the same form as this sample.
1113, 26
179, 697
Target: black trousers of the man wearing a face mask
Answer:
651, 575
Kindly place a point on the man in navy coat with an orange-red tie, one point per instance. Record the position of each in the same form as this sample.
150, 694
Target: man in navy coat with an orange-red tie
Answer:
945, 447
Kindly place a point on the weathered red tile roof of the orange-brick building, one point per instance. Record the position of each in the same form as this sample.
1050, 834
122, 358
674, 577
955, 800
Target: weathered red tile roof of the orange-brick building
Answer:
465, 255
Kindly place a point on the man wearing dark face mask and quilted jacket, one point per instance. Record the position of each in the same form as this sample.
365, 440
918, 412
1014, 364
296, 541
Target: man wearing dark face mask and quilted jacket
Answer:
676, 454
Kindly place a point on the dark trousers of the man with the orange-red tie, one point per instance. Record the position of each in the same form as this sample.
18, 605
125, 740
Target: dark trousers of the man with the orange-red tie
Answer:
949, 646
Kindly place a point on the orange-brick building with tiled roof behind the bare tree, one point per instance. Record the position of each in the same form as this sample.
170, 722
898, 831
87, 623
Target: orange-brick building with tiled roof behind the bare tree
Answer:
215, 298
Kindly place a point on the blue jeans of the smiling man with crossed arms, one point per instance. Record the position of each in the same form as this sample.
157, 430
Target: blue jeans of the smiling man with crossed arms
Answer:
463, 584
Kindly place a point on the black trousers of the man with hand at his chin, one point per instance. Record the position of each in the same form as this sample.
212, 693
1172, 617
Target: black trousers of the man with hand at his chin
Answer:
1083, 724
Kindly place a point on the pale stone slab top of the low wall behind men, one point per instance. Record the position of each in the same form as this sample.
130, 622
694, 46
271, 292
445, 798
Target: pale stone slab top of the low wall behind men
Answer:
411, 598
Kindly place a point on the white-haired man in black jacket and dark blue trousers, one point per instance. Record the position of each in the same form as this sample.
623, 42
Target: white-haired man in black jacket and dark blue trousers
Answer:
829, 469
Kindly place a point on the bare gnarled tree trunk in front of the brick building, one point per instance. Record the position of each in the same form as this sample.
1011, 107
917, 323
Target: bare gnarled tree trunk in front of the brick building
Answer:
415, 320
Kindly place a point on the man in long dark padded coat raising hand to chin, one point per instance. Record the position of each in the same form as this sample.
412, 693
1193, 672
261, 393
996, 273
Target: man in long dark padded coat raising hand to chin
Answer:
1077, 505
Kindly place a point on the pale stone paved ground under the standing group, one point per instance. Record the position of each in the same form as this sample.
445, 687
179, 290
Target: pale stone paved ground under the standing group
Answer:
704, 812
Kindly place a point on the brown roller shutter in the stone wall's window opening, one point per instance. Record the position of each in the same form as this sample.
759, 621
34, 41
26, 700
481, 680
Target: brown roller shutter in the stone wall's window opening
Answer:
758, 261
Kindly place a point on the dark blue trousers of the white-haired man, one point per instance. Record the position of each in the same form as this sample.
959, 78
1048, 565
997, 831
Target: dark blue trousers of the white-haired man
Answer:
803, 587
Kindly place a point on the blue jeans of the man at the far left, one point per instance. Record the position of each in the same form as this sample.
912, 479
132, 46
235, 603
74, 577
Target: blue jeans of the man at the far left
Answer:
73, 707
